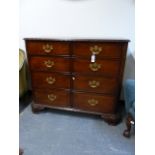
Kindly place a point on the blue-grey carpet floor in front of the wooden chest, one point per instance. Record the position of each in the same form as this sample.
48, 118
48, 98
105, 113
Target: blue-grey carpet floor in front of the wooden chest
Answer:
55, 132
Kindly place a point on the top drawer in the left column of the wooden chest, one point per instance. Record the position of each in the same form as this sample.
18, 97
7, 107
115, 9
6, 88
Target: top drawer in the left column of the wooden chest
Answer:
47, 48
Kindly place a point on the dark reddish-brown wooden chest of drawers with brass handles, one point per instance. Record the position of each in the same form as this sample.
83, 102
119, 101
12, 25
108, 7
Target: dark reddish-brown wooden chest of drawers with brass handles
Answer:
77, 75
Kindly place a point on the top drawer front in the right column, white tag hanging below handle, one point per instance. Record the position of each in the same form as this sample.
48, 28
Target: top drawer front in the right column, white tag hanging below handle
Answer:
110, 50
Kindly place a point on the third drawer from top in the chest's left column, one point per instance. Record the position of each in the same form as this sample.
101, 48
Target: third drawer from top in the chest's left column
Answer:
50, 80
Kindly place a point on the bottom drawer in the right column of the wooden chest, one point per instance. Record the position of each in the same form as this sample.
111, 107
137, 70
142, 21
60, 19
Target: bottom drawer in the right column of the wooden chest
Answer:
94, 103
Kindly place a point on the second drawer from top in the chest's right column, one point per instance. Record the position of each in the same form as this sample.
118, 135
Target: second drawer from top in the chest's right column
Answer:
105, 67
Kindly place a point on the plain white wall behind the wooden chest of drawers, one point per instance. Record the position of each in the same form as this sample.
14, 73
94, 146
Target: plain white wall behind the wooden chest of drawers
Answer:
78, 19
